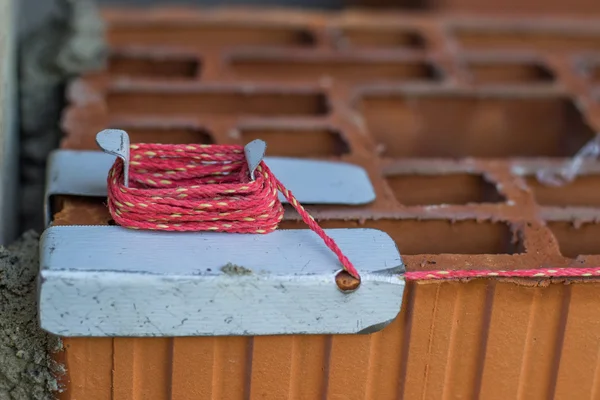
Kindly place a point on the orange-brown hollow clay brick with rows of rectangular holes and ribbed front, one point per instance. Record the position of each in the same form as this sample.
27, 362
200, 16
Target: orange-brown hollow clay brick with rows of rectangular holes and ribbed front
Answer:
442, 112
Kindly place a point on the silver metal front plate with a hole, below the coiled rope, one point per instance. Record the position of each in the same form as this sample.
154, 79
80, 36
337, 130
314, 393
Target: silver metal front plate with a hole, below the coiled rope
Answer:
111, 281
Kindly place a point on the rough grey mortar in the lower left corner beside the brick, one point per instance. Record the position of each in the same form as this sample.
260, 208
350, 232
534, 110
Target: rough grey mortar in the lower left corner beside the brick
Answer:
27, 371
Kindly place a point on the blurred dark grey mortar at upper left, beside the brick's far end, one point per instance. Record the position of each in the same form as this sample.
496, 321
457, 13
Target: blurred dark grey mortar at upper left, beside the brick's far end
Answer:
68, 44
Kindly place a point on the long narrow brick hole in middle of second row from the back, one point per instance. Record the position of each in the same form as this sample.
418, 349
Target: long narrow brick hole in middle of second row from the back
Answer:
349, 71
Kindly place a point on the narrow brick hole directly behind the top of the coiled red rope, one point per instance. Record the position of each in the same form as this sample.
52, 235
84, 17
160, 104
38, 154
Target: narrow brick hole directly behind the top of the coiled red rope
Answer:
169, 135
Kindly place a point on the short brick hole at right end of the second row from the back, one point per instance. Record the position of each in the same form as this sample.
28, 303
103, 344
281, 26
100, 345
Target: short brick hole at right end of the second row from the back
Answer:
489, 73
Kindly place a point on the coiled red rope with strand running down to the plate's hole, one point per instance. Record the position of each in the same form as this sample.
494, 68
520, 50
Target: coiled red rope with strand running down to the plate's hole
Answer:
202, 188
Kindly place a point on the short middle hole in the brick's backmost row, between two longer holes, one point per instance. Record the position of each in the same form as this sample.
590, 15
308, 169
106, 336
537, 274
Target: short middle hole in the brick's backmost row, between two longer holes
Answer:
382, 38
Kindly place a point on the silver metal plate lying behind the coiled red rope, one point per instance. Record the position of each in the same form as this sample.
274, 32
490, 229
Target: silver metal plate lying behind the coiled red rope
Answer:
84, 173
